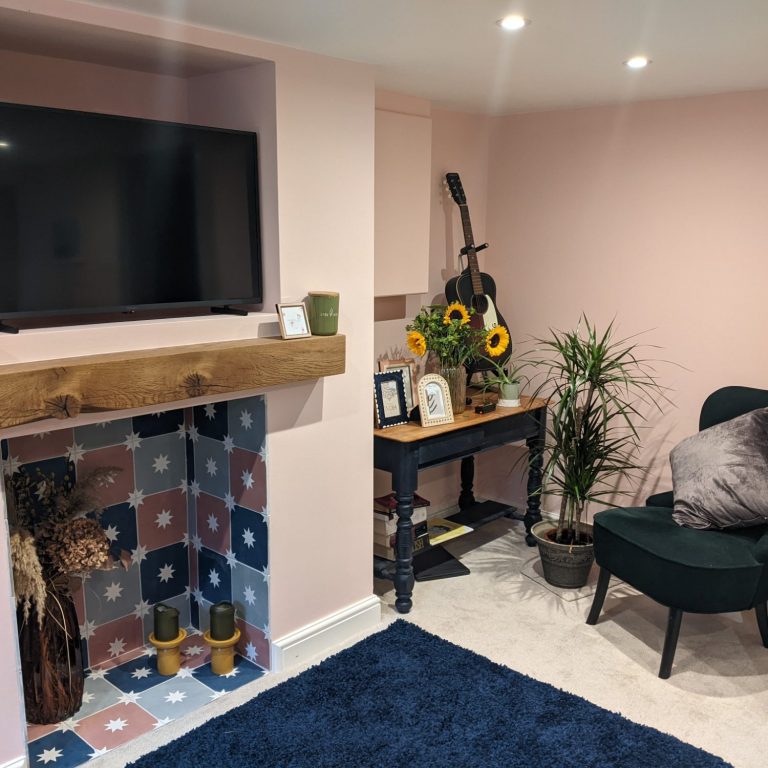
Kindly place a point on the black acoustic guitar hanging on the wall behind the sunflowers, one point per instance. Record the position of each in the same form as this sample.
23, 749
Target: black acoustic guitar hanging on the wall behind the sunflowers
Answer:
472, 287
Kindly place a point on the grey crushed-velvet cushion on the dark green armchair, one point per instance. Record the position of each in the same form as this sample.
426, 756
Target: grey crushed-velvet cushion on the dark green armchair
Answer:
720, 475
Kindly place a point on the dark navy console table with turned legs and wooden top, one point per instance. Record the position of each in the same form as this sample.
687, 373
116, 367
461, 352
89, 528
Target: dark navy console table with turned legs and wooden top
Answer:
404, 450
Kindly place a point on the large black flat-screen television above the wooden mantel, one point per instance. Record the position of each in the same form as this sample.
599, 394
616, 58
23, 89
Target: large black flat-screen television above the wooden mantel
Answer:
103, 214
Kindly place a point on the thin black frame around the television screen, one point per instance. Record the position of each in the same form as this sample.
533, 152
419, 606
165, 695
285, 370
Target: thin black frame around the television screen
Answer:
136, 310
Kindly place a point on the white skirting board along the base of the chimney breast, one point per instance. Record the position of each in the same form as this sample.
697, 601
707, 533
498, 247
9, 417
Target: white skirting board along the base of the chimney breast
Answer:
324, 635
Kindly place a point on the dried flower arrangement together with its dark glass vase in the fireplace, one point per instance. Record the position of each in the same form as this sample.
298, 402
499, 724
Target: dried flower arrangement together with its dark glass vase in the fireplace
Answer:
55, 534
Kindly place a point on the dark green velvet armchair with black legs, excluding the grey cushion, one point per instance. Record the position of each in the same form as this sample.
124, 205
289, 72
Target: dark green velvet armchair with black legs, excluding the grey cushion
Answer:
686, 569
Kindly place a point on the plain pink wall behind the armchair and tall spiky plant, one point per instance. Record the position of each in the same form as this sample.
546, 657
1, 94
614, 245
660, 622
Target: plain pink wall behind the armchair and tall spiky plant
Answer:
652, 213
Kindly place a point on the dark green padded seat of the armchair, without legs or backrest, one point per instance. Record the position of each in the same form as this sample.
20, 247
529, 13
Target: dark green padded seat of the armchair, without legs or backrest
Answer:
694, 570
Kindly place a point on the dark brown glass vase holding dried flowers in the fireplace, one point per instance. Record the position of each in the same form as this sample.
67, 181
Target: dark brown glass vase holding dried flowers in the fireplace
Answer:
51, 660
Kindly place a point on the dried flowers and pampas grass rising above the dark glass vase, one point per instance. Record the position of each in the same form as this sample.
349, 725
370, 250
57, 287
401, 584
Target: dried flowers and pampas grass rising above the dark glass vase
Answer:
51, 536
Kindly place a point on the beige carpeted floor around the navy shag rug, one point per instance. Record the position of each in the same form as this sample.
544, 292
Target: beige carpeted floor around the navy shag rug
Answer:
717, 697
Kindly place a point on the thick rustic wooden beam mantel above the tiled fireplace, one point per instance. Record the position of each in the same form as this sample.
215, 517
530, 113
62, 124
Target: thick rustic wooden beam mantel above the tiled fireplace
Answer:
64, 388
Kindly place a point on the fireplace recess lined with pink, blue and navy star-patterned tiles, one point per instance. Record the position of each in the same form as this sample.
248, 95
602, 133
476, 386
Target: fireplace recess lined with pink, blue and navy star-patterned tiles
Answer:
186, 518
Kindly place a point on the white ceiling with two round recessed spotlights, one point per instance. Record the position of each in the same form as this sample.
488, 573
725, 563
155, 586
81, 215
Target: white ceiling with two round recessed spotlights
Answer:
452, 52
